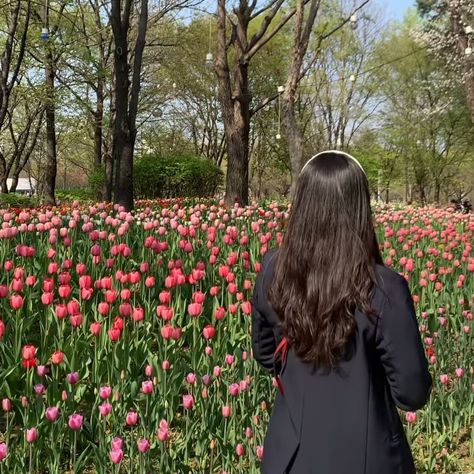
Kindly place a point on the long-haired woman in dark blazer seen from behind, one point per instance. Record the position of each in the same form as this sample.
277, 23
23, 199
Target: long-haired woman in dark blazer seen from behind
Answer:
338, 330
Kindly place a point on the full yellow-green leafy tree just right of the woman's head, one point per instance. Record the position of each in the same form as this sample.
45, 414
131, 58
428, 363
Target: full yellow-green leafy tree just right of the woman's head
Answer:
425, 124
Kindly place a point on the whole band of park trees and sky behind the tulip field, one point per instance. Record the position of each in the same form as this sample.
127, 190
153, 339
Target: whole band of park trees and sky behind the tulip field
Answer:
90, 87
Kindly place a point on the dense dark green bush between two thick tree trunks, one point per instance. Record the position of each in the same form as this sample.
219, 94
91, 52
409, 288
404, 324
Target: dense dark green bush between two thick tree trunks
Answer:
172, 176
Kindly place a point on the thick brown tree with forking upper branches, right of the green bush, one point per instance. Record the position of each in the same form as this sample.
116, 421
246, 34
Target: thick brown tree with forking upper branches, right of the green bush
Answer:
233, 81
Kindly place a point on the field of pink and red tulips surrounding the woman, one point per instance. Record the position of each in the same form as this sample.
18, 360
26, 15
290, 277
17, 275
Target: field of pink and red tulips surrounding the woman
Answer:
125, 337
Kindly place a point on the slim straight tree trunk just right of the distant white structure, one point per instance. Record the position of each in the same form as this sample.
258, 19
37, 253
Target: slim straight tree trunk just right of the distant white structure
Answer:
51, 158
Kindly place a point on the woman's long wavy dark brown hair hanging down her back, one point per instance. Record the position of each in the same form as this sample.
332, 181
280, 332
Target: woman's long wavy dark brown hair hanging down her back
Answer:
325, 267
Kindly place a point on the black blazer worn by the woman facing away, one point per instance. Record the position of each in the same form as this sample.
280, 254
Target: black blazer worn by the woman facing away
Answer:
345, 421
